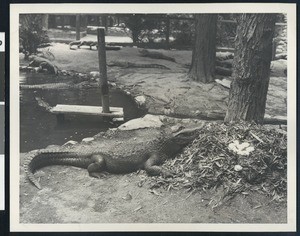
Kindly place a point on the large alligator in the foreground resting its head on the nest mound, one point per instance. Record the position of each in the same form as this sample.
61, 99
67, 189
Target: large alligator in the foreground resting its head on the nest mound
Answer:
122, 160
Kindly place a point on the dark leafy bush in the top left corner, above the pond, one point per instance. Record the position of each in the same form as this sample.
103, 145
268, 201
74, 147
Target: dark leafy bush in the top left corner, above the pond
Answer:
32, 33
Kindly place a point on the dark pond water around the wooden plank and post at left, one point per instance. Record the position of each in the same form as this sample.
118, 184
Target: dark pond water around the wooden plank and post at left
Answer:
39, 128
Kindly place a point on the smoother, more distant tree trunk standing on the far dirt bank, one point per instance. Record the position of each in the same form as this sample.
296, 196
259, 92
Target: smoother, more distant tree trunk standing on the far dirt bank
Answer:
204, 53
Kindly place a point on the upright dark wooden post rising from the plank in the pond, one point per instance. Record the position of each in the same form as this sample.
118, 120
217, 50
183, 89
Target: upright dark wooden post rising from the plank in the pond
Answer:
102, 68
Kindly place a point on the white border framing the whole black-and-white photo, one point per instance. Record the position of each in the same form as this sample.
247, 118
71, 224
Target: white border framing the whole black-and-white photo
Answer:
16, 9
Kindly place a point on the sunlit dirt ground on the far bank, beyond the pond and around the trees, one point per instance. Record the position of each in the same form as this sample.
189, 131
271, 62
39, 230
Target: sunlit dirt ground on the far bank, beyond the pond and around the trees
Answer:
169, 92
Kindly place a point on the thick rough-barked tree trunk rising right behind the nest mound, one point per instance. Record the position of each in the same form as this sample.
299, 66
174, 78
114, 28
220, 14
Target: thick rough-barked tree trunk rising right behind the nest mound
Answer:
251, 68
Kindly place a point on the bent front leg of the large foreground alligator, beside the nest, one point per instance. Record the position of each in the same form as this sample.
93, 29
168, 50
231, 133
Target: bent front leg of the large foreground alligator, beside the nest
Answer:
152, 166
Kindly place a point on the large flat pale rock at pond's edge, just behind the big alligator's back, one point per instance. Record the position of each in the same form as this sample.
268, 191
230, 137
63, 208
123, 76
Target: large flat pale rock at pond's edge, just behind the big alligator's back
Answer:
148, 121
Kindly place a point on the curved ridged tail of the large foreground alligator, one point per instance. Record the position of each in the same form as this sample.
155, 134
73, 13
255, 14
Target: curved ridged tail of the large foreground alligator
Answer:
42, 158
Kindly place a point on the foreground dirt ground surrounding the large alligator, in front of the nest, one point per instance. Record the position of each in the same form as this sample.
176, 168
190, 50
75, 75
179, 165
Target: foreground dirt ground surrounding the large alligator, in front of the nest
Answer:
69, 195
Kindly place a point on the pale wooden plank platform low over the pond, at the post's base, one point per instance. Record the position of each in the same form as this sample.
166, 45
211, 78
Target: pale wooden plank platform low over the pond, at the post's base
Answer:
86, 110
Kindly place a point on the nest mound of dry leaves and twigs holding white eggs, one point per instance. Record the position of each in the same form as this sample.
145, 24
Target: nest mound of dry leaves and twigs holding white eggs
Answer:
211, 162
